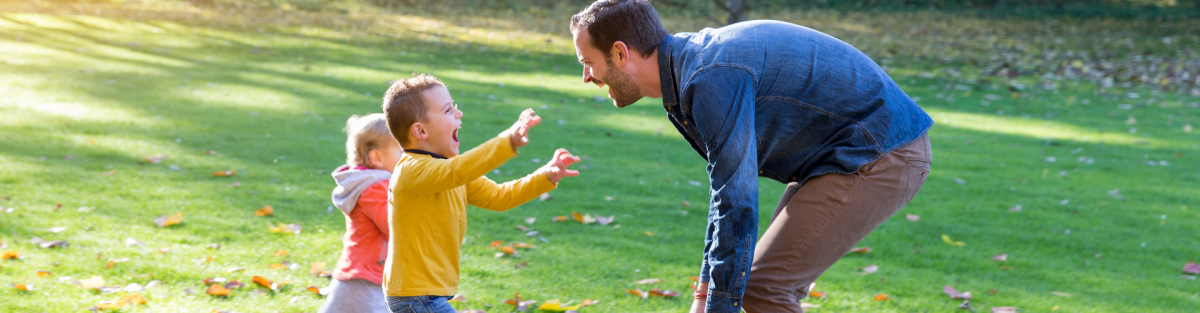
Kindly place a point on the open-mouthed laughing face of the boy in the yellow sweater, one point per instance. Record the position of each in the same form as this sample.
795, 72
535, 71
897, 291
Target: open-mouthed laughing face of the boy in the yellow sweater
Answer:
442, 122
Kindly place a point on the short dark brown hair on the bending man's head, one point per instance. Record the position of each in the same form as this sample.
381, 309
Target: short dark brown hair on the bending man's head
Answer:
633, 22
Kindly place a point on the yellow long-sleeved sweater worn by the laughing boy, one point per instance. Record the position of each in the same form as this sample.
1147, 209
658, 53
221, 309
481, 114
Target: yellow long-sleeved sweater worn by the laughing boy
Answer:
428, 214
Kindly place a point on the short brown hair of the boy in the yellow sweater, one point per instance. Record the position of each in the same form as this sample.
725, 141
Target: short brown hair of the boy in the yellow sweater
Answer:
404, 105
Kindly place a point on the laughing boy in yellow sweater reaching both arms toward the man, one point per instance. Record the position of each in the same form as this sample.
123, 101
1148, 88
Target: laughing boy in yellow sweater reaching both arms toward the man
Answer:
434, 184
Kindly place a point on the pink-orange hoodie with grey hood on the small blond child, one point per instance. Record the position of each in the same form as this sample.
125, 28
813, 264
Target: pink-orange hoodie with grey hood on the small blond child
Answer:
362, 195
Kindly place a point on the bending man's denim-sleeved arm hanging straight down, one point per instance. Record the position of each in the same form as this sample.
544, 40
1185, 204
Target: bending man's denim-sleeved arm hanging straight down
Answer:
724, 111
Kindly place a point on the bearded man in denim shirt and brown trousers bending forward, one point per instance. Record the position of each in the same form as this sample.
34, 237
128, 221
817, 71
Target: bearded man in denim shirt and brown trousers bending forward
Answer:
773, 100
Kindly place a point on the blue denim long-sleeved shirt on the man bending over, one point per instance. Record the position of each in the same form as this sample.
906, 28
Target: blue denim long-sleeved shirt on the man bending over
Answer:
781, 101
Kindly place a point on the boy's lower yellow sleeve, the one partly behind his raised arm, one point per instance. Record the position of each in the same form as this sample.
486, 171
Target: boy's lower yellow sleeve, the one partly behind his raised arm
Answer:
488, 195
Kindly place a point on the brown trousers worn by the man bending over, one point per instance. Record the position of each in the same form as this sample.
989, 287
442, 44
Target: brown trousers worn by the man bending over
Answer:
818, 224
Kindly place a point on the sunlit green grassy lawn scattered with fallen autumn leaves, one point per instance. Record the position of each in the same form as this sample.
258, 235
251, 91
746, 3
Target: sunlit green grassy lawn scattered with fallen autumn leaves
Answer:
1106, 176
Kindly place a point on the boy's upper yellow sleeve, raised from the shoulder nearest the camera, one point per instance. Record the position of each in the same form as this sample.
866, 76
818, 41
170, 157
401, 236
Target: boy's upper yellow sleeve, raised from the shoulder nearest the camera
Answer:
437, 176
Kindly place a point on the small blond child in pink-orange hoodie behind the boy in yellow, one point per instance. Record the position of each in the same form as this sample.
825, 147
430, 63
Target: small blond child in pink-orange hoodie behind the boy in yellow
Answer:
362, 194
